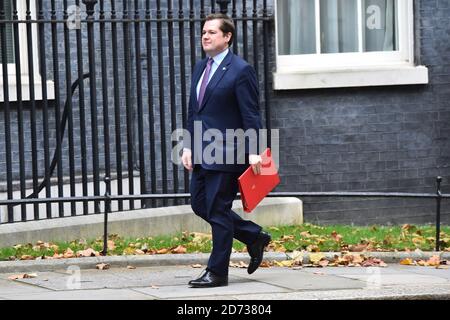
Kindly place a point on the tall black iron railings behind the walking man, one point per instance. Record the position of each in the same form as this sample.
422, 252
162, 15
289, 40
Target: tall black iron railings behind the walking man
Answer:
119, 85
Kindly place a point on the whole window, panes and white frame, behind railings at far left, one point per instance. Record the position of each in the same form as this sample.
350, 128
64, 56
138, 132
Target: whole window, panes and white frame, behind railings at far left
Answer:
13, 57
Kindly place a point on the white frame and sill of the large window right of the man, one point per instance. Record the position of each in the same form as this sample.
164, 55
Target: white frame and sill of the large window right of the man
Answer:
325, 70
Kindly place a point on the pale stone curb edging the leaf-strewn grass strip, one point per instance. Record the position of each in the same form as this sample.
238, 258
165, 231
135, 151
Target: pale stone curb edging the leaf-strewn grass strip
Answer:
188, 259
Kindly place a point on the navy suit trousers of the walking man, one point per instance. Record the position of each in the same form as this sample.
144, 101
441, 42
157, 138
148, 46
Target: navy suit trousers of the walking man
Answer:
212, 195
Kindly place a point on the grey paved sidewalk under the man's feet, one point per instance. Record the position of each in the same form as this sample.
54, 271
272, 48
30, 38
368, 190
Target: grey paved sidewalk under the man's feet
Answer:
170, 282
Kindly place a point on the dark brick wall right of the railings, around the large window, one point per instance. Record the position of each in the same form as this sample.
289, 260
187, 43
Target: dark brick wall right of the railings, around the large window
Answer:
392, 138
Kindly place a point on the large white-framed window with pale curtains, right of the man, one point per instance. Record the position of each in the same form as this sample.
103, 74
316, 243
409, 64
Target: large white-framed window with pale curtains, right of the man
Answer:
345, 43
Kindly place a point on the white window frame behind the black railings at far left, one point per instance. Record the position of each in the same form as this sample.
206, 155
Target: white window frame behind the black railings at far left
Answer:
23, 58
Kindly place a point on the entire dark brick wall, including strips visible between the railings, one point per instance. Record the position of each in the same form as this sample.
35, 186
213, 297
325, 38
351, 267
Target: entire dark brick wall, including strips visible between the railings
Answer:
392, 138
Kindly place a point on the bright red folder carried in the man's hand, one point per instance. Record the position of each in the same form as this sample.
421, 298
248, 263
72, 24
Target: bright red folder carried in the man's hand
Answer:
254, 187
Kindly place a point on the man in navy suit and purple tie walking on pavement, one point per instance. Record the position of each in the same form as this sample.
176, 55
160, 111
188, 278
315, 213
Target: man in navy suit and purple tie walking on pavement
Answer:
224, 96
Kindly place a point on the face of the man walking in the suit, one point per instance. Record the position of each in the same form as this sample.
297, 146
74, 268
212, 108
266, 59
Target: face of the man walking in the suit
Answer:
214, 40
